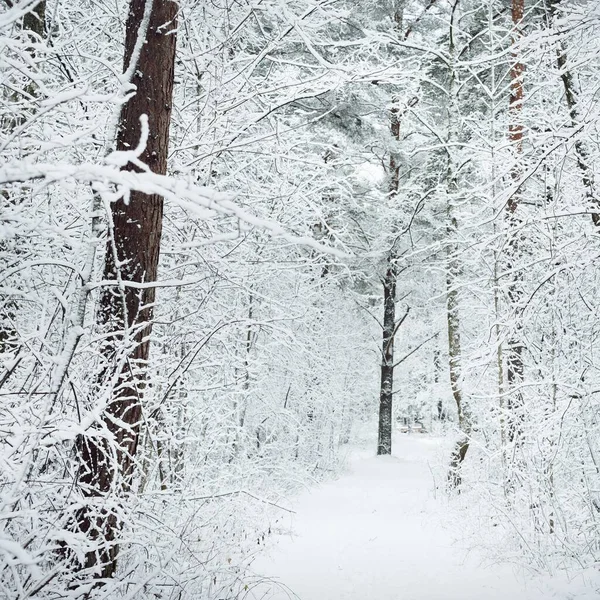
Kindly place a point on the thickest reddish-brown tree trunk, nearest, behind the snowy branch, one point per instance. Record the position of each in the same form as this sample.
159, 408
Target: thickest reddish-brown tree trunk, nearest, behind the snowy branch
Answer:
107, 462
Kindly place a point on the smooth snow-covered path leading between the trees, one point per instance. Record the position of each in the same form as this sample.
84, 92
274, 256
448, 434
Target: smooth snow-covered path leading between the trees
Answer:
378, 533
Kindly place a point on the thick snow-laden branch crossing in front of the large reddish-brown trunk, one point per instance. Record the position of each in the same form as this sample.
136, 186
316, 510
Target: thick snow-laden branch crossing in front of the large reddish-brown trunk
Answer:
201, 201
